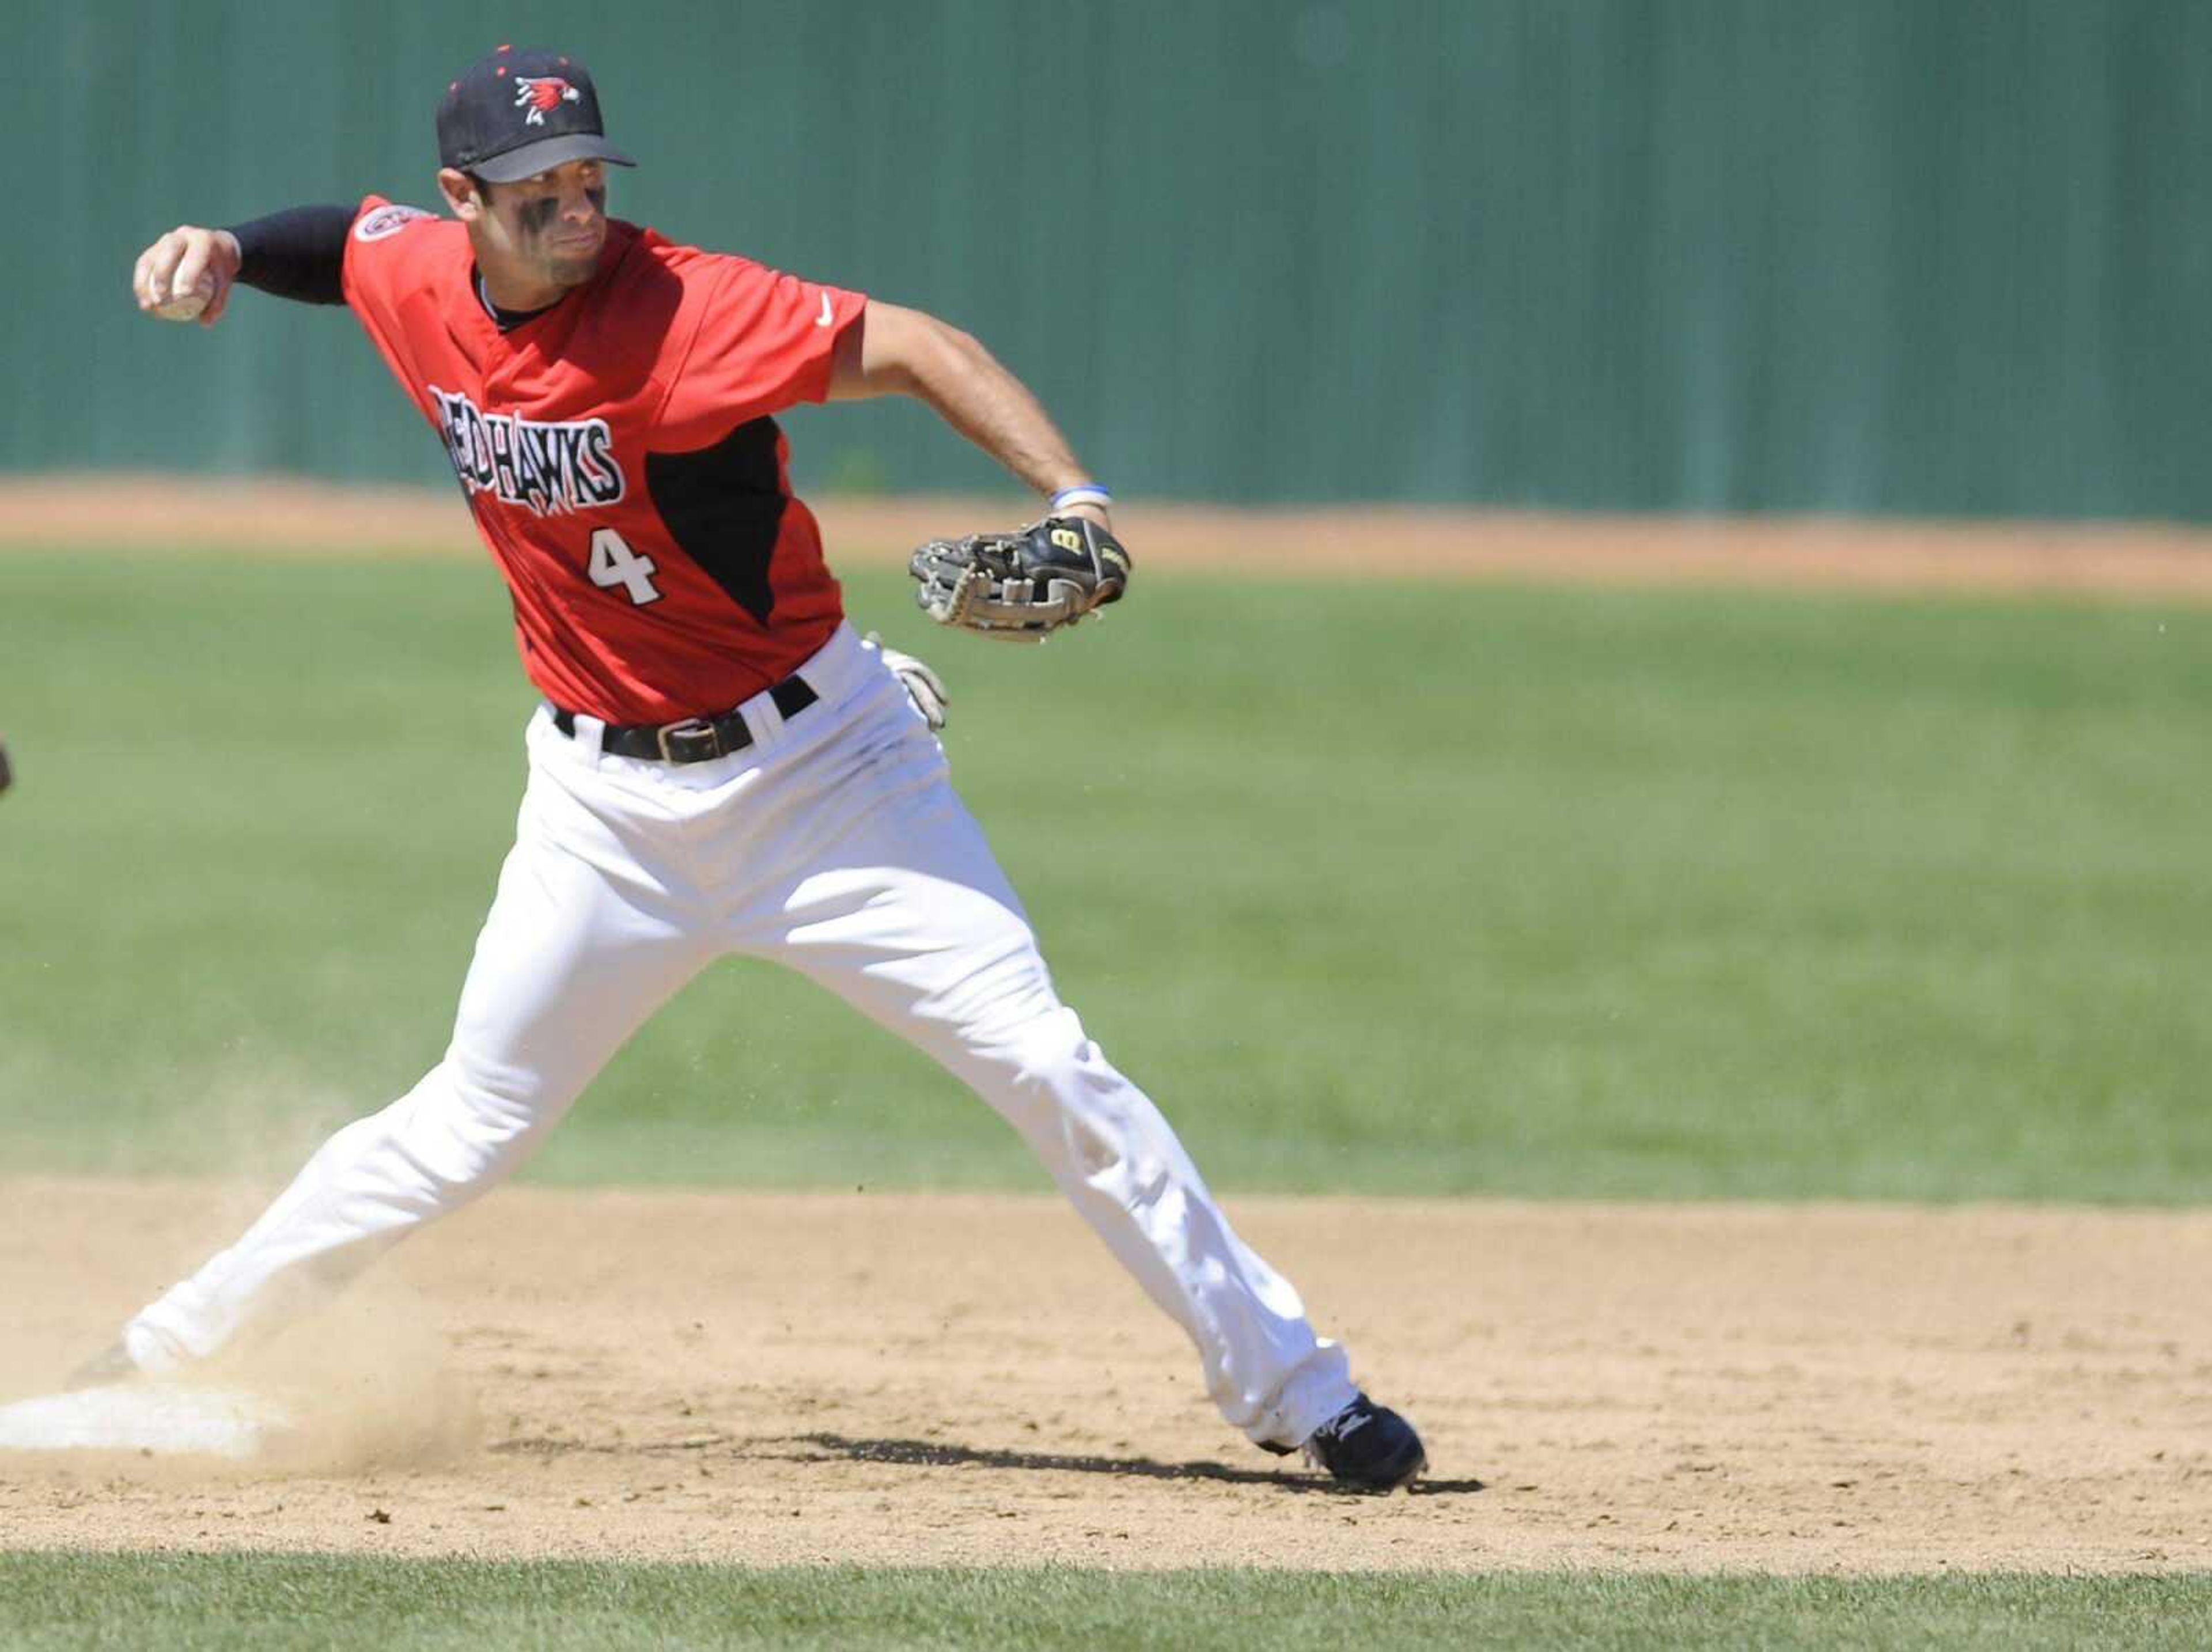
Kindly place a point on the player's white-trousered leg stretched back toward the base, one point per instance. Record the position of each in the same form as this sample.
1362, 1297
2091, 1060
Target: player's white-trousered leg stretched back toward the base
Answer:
583, 943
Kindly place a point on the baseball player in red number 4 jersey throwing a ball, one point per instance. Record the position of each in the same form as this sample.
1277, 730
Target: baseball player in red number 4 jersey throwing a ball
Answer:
720, 764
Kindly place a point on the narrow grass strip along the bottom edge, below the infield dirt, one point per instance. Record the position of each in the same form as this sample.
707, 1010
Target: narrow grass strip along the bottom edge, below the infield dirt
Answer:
249, 1602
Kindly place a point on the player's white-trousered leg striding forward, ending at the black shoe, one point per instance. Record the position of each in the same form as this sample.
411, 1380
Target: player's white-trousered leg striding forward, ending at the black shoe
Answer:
897, 906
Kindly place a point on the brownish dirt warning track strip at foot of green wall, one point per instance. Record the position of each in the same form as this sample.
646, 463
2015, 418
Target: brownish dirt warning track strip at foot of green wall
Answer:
2052, 561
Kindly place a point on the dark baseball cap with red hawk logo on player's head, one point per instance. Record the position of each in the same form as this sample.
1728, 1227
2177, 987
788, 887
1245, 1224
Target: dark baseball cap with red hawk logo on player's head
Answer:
517, 114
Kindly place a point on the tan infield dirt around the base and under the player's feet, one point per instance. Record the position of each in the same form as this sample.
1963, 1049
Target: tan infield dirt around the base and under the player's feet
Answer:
789, 1379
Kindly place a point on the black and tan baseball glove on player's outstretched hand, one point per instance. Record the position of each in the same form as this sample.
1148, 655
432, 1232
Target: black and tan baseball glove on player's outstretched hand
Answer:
1025, 585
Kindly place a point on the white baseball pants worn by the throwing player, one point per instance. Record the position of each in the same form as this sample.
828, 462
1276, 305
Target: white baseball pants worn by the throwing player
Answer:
833, 844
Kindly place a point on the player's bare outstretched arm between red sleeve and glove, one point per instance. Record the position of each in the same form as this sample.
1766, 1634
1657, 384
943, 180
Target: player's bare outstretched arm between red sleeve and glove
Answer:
893, 351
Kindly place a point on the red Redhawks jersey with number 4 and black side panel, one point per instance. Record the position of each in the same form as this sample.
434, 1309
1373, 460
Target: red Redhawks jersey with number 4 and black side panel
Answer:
620, 457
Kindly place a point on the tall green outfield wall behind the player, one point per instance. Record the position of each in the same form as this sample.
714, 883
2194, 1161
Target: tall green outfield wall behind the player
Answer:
1857, 255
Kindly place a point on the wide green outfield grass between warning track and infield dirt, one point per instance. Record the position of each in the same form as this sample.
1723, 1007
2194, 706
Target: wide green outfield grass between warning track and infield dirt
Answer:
1377, 888
